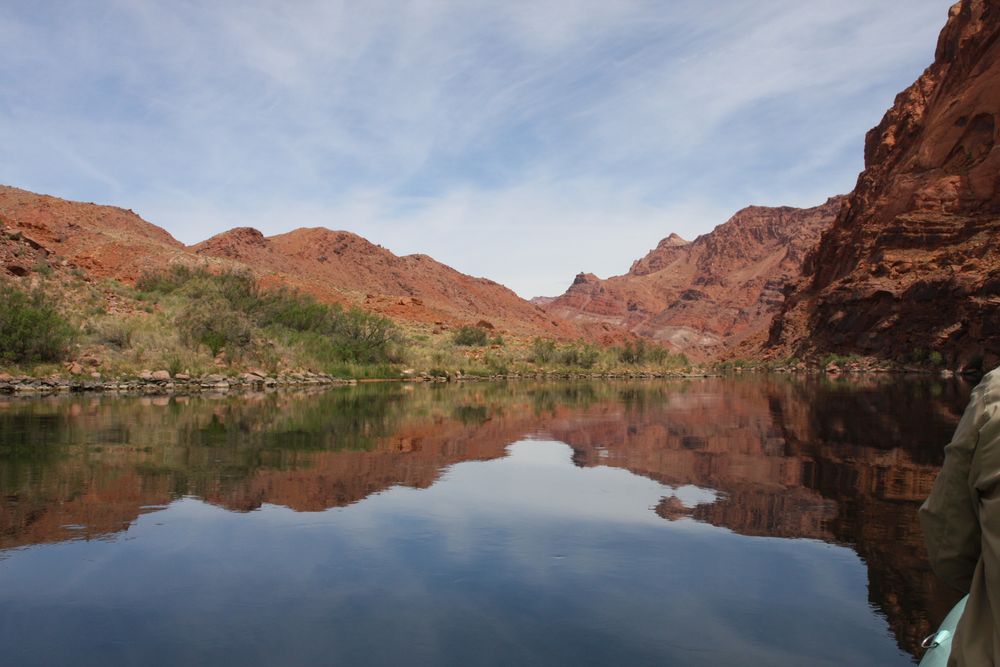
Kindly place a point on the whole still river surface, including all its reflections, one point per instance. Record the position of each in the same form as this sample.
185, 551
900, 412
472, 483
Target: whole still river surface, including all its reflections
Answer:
762, 521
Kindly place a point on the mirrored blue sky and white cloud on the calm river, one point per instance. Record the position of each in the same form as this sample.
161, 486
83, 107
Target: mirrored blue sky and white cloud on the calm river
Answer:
522, 560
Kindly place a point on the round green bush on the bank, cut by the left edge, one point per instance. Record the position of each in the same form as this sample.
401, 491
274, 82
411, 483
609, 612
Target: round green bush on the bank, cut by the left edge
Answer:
31, 329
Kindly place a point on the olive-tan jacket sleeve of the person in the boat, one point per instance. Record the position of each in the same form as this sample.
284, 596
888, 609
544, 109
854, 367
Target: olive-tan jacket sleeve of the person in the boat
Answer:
950, 516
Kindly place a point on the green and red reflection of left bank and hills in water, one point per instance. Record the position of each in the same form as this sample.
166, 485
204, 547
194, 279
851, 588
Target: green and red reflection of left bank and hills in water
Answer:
86, 468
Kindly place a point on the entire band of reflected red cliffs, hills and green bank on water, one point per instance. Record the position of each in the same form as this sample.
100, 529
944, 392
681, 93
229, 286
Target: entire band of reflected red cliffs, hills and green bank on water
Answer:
844, 463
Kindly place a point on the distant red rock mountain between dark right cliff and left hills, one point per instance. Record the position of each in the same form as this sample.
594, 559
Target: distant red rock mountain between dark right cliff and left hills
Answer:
705, 297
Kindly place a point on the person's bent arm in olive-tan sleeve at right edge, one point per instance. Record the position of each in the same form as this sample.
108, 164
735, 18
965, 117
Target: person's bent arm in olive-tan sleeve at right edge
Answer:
950, 516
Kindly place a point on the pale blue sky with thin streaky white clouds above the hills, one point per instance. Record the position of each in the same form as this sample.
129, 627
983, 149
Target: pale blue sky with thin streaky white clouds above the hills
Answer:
522, 141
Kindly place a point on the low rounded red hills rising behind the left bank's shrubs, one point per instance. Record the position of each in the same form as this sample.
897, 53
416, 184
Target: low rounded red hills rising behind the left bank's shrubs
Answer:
334, 266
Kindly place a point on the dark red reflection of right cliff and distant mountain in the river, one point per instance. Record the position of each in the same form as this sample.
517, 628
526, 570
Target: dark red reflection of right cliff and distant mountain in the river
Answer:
843, 463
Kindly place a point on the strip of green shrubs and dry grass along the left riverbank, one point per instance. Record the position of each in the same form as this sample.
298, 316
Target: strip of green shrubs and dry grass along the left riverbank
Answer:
194, 321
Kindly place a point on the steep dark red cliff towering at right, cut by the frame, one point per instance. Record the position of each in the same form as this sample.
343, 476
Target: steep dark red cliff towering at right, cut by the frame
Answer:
913, 260
